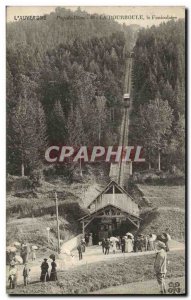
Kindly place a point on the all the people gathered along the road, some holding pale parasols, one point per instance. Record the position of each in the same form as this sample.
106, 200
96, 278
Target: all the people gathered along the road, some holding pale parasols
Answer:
125, 244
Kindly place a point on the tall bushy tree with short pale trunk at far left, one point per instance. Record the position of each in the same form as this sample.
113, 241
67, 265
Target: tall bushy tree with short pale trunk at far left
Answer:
28, 134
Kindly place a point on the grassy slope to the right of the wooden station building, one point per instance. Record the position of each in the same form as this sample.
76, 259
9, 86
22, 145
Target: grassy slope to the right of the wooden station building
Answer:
167, 210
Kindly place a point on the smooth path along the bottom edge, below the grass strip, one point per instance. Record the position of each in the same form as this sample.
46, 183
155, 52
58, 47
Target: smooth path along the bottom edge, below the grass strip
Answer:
146, 287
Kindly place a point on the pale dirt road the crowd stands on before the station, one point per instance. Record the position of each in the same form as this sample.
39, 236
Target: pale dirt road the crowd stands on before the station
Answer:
92, 255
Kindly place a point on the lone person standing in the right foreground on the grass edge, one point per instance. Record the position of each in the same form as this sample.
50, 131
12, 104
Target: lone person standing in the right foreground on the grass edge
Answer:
160, 265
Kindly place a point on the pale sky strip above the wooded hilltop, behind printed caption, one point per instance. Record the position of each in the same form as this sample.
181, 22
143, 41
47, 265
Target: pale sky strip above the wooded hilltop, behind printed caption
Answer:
149, 14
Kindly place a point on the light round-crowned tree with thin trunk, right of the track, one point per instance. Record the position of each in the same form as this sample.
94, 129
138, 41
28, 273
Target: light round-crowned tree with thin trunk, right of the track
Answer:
156, 122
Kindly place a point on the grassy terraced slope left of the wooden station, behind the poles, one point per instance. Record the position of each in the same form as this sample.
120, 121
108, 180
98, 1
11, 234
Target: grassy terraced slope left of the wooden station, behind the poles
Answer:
30, 211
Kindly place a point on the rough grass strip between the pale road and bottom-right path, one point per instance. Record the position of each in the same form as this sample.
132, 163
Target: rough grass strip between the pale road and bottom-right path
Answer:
94, 277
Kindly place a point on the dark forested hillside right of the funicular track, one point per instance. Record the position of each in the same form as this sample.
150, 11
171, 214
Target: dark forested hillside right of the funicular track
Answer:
158, 117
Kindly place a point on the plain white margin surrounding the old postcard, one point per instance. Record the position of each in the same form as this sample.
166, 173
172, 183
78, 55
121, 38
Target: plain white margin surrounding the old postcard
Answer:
3, 4
